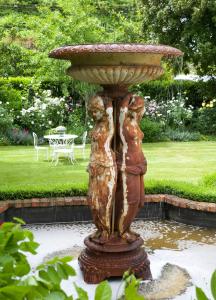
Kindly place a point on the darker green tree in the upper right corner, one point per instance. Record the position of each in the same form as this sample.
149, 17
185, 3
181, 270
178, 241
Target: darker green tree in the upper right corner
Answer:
189, 25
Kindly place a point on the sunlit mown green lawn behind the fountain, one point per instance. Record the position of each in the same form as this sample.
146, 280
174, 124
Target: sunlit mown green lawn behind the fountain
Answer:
168, 164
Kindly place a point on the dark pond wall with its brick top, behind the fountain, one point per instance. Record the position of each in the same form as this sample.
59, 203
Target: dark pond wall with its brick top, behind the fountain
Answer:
68, 209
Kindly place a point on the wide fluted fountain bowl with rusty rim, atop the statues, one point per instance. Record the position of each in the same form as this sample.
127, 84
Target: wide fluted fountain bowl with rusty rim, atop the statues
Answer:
111, 64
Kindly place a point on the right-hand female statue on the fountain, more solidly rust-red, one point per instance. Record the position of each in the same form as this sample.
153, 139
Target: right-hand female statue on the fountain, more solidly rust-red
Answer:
131, 164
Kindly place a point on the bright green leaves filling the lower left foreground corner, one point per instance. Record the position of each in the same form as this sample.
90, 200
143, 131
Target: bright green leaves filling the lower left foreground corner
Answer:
17, 281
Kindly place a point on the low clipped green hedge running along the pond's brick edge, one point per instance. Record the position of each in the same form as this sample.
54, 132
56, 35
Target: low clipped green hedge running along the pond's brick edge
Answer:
182, 189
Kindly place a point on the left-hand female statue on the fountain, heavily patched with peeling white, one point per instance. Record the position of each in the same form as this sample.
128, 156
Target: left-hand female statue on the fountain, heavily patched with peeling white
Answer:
102, 167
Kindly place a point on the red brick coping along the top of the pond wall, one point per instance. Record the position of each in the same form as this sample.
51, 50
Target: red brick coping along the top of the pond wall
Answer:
70, 201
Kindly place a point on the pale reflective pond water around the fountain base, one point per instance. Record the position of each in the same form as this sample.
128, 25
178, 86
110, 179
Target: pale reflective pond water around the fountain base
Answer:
192, 249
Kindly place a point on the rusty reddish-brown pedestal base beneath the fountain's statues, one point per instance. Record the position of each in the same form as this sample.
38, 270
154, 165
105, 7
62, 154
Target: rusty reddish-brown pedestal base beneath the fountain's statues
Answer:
99, 262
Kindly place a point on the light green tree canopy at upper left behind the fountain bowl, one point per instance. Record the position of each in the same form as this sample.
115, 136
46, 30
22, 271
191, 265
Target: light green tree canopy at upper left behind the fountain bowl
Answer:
30, 29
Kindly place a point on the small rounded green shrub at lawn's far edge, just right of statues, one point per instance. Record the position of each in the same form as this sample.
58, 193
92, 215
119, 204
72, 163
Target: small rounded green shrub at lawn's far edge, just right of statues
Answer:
153, 131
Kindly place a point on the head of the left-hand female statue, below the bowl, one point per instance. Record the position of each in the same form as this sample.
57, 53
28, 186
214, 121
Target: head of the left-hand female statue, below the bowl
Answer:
96, 108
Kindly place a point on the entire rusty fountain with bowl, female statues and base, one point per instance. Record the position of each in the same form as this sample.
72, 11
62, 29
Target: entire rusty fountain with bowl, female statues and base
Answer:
117, 164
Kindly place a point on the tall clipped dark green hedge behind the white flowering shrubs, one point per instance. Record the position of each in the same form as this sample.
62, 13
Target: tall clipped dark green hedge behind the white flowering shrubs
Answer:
195, 91
